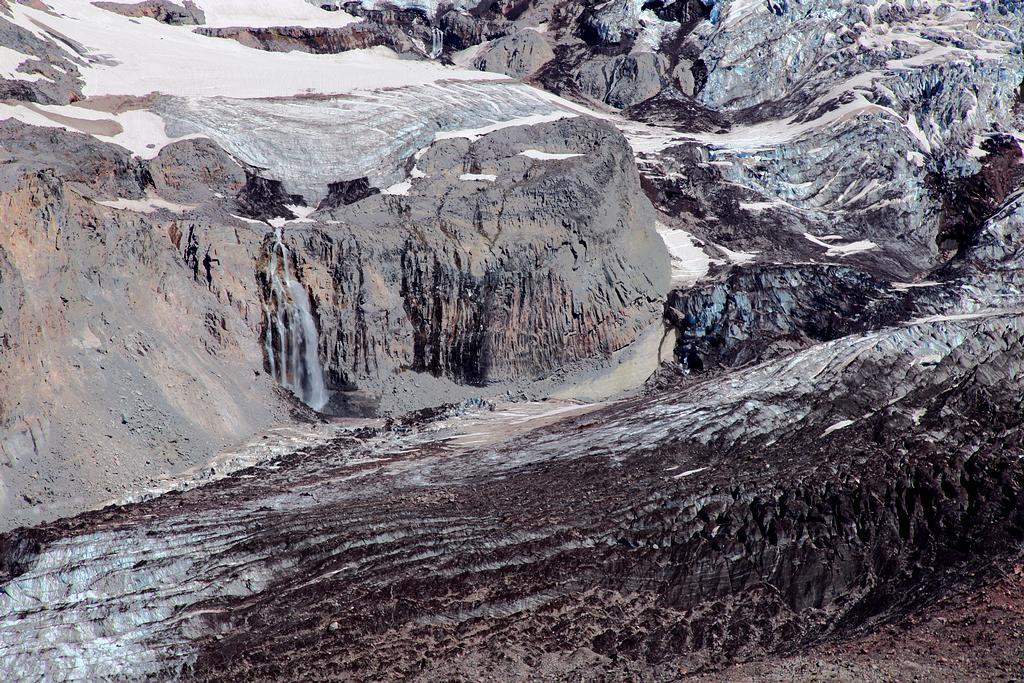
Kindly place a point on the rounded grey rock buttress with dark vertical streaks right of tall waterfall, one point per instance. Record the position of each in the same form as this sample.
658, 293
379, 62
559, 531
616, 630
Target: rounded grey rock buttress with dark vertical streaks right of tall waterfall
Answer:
494, 268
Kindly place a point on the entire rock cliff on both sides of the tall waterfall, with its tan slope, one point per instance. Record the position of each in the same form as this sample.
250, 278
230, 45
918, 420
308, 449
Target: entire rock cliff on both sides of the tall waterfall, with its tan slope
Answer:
138, 306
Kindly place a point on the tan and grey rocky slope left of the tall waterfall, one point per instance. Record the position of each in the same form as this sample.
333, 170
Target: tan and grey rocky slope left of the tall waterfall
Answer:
125, 354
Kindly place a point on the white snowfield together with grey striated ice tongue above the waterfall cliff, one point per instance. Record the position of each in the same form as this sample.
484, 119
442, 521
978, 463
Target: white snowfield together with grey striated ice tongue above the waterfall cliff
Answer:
288, 113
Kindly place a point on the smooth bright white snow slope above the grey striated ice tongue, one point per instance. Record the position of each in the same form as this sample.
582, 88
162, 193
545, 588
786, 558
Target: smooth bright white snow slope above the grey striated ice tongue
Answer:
139, 57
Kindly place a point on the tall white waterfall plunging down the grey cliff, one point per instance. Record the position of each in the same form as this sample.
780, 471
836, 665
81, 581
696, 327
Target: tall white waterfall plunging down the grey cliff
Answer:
291, 340
